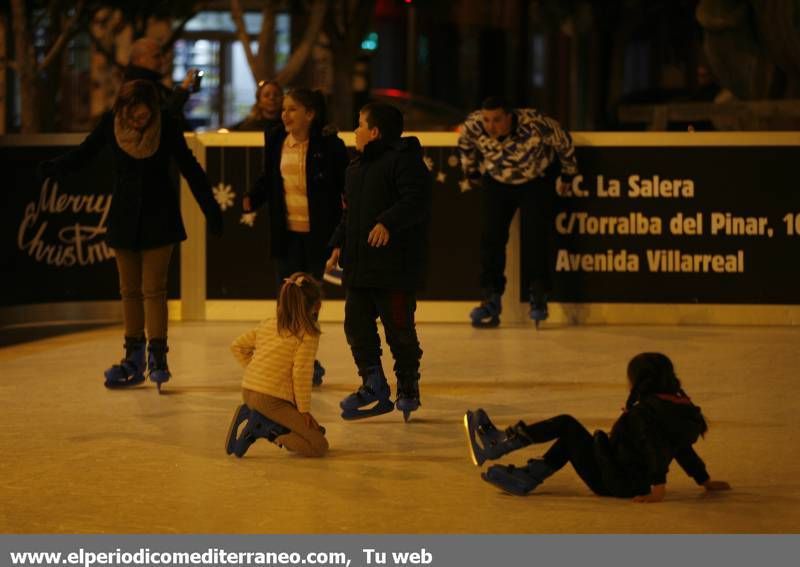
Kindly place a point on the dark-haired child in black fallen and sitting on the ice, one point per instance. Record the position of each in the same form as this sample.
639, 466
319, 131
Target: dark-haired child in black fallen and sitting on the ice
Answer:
660, 423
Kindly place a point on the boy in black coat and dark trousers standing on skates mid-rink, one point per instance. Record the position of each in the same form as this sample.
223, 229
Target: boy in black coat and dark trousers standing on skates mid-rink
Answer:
381, 244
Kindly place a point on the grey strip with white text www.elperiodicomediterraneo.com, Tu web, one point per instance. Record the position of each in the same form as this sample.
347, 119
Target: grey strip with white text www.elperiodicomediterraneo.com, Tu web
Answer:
399, 551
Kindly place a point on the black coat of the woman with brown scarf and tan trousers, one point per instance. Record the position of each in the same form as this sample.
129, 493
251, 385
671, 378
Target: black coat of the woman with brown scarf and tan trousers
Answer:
145, 208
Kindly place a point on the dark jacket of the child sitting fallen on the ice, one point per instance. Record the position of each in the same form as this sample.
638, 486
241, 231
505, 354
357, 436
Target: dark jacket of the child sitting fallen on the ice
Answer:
644, 441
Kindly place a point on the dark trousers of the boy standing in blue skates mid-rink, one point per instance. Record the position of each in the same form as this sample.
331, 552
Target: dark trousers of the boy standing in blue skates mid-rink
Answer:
363, 306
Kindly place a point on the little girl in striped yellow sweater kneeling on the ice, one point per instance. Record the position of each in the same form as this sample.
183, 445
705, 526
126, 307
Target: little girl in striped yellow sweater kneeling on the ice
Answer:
278, 357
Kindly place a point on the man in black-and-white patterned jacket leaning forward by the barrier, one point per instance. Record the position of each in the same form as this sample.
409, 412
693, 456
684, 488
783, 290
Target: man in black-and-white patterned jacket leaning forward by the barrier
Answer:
510, 152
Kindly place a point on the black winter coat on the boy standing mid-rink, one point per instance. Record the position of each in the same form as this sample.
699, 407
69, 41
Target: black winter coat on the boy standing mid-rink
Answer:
387, 184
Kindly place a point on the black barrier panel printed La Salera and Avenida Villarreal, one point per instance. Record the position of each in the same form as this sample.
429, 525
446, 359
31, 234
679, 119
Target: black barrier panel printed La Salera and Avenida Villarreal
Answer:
699, 224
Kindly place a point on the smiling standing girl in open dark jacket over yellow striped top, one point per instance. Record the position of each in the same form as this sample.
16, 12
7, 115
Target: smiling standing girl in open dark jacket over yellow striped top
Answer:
302, 186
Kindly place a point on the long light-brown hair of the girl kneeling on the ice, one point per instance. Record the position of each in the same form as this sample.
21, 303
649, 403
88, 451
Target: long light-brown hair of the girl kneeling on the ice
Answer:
299, 297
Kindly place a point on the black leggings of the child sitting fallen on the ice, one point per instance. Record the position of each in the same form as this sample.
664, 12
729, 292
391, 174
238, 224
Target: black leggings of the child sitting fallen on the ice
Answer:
574, 444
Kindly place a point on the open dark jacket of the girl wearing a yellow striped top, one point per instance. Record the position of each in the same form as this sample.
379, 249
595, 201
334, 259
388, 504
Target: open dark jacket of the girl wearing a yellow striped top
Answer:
326, 161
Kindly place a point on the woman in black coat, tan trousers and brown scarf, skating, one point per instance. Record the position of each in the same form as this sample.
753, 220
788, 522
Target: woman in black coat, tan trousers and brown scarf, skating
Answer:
144, 223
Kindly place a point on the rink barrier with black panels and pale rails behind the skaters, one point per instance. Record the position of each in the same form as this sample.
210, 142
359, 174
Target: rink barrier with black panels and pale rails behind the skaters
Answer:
239, 282
